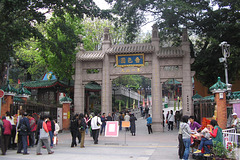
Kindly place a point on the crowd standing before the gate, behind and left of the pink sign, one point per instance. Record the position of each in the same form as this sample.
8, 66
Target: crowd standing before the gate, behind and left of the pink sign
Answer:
95, 125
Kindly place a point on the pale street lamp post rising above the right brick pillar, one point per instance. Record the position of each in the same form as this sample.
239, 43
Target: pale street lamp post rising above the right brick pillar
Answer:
226, 53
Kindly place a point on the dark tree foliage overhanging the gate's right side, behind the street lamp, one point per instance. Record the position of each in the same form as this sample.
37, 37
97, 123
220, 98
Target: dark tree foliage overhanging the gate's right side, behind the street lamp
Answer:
209, 22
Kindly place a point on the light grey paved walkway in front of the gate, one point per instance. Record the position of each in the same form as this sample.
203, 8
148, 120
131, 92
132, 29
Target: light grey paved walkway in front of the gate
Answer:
143, 146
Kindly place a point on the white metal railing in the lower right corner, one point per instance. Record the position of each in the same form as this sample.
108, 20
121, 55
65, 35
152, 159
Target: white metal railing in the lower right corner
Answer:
230, 136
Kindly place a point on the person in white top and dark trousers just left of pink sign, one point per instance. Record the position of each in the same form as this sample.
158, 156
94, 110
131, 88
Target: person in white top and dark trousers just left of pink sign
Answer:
95, 125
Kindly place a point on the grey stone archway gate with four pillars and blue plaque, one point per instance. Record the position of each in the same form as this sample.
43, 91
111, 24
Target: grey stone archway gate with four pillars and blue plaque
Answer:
148, 59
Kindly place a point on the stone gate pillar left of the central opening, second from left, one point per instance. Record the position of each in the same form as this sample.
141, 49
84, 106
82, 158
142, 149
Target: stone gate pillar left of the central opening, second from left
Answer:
106, 98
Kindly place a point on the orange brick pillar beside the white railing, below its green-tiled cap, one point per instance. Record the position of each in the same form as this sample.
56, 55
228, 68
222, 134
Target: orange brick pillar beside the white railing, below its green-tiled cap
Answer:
220, 99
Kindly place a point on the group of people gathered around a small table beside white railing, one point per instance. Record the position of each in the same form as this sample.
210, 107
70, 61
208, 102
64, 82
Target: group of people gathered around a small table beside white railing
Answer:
209, 136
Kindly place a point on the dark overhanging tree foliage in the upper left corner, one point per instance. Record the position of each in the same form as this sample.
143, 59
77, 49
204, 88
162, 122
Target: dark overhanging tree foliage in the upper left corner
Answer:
18, 20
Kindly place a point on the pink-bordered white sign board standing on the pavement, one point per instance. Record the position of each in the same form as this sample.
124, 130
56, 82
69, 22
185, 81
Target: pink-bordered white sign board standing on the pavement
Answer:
111, 129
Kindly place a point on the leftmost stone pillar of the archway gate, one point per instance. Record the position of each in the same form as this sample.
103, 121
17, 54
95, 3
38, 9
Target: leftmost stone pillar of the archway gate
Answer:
79, 90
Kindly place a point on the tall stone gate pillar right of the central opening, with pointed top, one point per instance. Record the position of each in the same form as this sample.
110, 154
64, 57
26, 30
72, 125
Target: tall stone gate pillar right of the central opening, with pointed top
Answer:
156, 86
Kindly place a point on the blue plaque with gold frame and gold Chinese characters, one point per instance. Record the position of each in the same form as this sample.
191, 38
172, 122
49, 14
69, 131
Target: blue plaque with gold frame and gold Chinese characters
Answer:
126, 60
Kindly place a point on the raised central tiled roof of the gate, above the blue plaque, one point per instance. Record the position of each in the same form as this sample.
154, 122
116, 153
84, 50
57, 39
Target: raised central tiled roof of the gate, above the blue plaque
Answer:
130, 48
